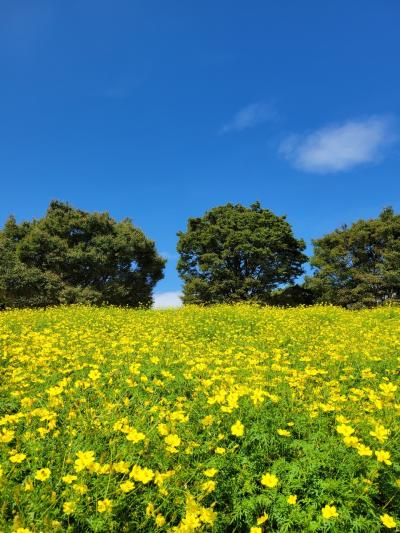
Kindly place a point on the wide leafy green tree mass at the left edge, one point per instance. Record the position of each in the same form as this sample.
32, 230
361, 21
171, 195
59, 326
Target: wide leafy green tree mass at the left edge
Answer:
72, 256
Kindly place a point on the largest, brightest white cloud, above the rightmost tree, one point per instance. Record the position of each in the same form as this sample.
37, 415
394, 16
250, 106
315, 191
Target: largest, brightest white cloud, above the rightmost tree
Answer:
340, 147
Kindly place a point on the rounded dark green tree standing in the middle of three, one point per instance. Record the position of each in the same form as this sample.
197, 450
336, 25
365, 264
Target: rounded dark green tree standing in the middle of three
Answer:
234, 253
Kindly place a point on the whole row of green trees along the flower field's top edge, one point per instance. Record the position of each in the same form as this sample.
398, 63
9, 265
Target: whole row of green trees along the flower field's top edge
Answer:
231, 254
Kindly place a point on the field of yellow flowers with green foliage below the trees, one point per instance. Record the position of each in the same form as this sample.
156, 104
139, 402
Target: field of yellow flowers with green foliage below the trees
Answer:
222, 419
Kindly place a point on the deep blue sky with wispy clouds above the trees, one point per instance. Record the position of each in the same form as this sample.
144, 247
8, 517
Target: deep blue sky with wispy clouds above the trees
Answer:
161, 110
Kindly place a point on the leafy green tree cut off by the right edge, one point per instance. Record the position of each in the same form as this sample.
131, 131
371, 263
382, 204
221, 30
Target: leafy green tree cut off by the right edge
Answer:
358, 266
